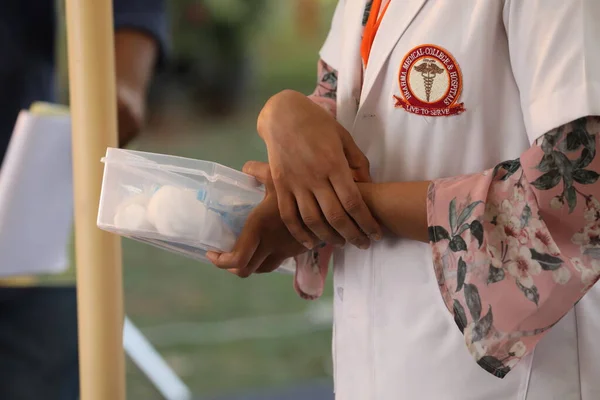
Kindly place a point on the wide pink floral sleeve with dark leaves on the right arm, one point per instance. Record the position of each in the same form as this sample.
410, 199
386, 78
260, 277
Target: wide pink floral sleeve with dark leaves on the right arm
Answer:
522, 247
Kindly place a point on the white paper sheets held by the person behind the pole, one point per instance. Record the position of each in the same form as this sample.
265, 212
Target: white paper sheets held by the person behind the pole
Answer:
36, 196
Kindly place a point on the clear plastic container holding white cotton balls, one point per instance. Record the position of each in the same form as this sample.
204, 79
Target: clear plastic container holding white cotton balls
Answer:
179, 204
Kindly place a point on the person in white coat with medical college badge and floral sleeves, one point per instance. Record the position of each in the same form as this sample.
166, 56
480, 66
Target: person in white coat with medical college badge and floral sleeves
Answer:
470, 132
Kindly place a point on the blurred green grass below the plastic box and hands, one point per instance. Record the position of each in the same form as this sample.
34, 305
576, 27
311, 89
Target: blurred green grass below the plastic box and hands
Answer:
161, 288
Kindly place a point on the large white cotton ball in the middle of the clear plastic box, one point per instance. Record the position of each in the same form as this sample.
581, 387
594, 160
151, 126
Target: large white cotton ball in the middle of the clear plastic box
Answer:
177, 213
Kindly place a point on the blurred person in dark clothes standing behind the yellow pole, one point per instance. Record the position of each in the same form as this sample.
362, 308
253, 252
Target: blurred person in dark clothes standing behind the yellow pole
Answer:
38, 325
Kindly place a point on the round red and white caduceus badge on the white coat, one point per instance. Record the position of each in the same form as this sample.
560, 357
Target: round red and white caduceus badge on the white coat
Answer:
430, 82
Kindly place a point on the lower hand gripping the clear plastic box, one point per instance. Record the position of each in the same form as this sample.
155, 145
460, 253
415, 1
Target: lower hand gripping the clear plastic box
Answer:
265, 241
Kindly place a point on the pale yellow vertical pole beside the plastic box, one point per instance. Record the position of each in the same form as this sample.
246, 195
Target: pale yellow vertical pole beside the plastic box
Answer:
90, 41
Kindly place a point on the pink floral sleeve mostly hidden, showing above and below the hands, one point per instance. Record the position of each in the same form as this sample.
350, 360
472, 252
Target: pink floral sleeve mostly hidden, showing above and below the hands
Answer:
311, 267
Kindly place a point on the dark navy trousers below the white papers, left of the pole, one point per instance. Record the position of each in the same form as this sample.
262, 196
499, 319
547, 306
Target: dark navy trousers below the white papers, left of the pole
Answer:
38, 343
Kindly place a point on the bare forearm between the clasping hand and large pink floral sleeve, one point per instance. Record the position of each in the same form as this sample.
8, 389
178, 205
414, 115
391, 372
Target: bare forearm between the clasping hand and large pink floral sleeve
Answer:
400, 206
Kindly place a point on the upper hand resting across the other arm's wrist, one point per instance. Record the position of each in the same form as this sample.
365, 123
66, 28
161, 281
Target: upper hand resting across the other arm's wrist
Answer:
314, 163
